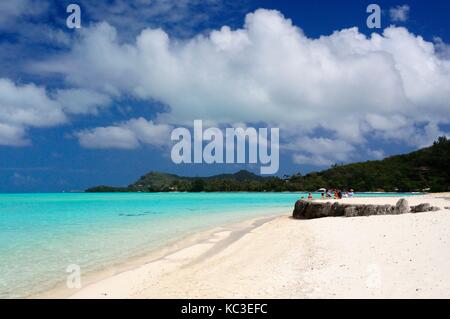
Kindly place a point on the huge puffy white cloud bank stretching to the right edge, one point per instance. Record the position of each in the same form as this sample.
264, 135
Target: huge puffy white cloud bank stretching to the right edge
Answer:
352, 86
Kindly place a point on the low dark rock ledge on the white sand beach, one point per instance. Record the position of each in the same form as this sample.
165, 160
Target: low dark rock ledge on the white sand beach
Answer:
311, 209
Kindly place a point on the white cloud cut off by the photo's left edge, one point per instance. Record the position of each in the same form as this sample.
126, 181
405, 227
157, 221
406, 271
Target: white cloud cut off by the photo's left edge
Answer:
23, 106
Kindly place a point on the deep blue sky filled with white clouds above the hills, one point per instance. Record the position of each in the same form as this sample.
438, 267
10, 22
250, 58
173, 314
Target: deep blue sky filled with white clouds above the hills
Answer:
97, 104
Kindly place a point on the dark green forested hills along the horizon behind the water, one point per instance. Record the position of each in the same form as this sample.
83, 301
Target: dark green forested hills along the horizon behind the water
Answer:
427, 169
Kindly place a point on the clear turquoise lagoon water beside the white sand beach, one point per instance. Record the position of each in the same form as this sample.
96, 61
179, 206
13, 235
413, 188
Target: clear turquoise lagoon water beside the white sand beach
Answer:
41, 234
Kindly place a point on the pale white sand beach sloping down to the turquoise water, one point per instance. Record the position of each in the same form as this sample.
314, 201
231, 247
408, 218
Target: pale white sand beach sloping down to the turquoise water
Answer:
405, 256
